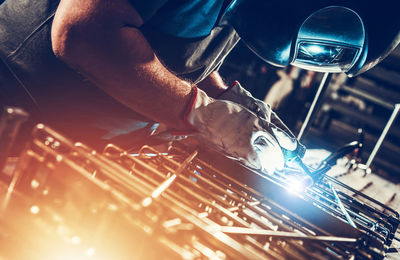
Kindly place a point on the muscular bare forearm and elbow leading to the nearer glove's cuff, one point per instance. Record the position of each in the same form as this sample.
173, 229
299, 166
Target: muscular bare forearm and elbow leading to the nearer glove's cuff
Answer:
100, 39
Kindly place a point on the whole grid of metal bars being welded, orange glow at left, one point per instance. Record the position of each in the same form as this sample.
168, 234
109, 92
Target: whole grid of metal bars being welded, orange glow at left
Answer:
180, 204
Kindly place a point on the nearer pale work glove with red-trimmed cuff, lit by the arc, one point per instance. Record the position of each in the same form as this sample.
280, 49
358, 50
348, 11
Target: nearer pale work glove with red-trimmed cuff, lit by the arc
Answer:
234, 130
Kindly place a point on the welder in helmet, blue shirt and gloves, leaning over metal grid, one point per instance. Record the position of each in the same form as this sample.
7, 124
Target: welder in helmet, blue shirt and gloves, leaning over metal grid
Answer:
106, 70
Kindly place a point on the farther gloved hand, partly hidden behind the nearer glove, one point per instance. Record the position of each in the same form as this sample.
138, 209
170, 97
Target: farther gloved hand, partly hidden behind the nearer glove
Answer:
291, 147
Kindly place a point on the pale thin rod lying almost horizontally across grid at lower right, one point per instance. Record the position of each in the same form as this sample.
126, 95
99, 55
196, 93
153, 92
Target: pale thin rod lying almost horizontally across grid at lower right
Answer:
282, 234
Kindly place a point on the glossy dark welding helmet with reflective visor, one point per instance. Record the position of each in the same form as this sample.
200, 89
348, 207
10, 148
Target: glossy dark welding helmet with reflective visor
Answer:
320, 35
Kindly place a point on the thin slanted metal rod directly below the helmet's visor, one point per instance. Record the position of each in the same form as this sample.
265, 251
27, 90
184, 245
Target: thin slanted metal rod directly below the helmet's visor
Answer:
313, 109
